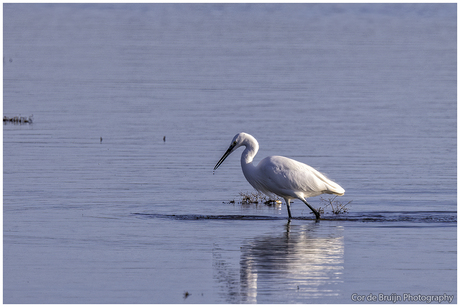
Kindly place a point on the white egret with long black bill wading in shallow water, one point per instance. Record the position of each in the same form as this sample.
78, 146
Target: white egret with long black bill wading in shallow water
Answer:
282, 176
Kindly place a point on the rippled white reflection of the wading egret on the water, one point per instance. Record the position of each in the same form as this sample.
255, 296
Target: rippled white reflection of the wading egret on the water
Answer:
304, 264
